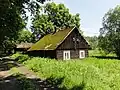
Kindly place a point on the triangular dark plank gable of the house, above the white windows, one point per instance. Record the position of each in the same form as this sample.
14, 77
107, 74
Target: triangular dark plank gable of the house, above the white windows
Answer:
74, 40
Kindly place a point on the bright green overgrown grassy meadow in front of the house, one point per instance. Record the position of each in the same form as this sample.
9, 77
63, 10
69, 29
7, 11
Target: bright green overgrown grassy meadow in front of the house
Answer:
92, 73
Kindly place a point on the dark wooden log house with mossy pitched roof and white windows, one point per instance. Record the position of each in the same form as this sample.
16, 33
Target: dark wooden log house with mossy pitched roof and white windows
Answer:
65, 44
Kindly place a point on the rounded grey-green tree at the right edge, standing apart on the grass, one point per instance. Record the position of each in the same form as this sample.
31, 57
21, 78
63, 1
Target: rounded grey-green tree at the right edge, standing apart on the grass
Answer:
109, 38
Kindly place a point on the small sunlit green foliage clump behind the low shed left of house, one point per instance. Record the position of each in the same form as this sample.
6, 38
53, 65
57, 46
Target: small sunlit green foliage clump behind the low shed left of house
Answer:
24, 36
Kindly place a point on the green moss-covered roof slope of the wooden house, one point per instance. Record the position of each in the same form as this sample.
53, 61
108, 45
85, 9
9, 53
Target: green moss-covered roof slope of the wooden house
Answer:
51, 41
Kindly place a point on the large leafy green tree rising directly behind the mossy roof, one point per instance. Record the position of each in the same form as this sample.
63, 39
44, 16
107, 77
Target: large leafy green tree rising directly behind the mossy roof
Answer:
53, 17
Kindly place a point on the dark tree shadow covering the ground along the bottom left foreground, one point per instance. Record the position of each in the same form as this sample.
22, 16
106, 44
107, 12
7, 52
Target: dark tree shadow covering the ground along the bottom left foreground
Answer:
18, 83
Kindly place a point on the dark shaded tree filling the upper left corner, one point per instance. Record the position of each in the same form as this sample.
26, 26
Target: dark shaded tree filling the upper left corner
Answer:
13, 16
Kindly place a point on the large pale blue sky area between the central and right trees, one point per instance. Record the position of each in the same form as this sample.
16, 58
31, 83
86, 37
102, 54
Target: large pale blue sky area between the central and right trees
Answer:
91, 12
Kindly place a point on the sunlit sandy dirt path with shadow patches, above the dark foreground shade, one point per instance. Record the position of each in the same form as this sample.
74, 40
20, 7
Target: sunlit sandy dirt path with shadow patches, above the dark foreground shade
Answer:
5, 67
